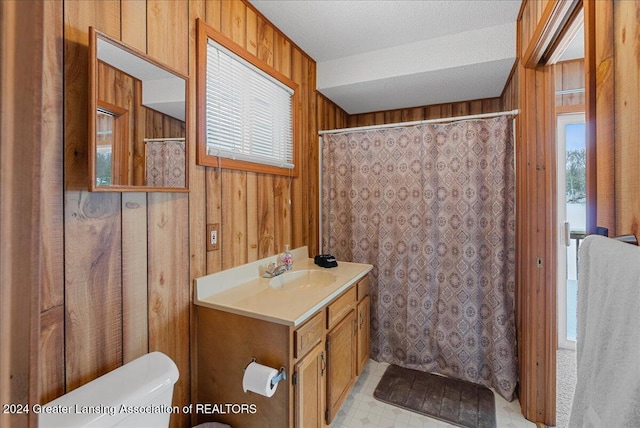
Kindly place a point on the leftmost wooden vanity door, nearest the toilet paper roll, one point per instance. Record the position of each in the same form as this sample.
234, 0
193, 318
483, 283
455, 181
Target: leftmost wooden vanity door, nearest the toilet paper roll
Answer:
309, 389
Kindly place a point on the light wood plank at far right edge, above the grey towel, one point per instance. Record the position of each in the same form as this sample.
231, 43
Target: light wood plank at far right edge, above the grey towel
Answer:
627, 113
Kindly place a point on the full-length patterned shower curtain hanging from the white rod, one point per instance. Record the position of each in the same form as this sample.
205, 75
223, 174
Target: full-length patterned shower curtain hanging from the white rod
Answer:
432, 207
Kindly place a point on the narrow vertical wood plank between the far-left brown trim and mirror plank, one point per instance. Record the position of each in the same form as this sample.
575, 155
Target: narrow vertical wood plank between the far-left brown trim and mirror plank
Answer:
50, 361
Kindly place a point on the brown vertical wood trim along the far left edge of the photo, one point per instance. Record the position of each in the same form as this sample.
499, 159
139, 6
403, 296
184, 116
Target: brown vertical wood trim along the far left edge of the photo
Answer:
22, 133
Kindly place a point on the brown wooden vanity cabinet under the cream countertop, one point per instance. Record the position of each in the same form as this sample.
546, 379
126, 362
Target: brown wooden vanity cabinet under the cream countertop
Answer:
323, 358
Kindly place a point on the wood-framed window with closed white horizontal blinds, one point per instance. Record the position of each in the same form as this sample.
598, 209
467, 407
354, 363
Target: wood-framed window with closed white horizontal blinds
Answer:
248, 118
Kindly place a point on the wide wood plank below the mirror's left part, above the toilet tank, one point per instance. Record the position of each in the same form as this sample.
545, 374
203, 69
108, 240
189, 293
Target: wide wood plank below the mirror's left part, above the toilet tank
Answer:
93, 286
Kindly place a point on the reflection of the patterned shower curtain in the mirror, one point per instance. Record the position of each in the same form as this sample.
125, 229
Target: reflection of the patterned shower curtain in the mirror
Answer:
165, 163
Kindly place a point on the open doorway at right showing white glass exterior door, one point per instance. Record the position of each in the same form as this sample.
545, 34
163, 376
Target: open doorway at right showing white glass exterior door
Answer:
571, 207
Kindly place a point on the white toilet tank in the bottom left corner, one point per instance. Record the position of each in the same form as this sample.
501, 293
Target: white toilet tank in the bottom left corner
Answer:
137, 394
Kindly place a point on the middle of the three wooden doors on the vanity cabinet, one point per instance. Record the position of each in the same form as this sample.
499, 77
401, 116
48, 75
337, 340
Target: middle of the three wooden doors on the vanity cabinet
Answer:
341, 362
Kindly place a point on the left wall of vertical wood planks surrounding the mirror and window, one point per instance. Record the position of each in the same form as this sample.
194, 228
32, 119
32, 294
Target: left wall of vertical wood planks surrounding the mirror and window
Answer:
121, 284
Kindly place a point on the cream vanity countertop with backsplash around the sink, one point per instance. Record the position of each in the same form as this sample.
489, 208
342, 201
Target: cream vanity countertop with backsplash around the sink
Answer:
242, 291
